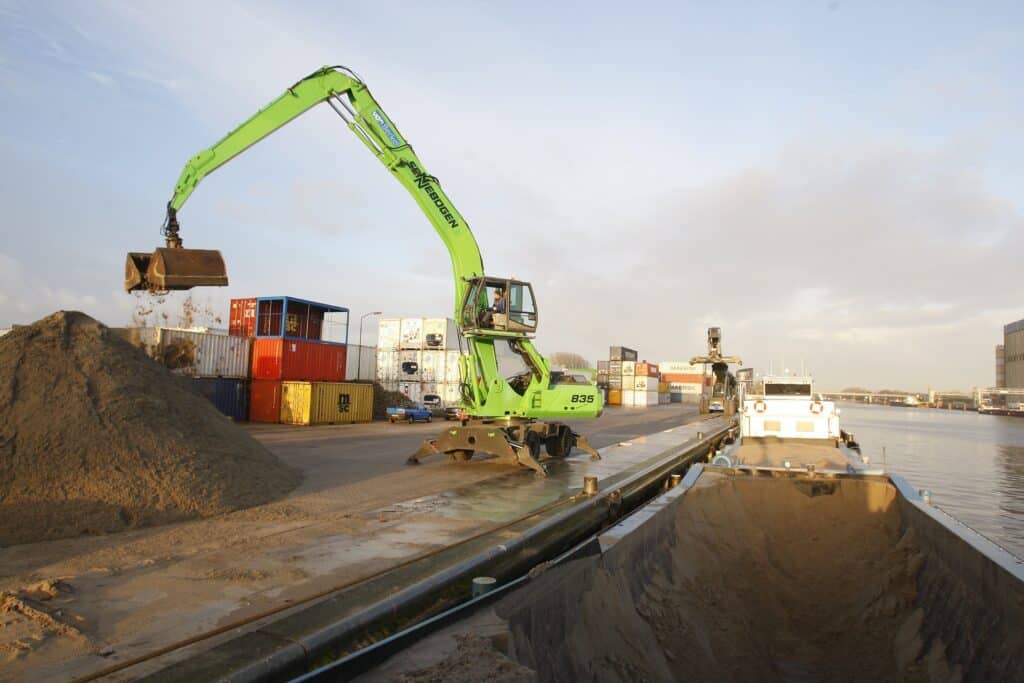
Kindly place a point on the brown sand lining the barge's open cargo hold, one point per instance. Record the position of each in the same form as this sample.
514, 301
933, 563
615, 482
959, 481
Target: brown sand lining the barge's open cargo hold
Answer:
745, 580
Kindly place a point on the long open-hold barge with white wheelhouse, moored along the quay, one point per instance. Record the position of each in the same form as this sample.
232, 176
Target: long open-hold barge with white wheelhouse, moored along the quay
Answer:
789, 557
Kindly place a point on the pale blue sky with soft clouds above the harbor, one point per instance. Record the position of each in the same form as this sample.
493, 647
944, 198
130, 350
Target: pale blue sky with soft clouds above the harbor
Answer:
840, 187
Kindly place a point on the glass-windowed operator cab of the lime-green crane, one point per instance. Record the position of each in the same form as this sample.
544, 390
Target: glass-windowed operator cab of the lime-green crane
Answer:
514, 314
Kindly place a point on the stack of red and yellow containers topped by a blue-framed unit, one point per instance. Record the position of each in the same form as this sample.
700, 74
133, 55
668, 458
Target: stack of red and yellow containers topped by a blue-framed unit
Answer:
300, 361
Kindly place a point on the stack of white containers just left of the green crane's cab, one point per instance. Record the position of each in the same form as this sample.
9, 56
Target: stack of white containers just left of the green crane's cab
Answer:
420, 358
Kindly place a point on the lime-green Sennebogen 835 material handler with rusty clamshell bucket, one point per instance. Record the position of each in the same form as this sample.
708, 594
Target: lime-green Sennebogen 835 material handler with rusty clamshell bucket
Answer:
509, 418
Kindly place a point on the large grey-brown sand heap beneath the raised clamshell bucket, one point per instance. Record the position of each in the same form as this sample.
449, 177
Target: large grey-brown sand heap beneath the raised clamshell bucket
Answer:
97, 438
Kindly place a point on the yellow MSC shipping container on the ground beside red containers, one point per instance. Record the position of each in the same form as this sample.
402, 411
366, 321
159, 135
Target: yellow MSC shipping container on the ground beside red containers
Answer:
326, 403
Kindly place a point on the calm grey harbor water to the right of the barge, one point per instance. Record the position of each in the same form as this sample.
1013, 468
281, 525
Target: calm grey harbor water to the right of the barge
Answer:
972, 464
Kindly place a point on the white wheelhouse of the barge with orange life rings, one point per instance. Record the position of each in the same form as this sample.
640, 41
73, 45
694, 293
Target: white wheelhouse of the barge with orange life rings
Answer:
788, 408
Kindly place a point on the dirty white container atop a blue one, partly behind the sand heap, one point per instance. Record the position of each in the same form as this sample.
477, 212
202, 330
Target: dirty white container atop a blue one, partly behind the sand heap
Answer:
195, 354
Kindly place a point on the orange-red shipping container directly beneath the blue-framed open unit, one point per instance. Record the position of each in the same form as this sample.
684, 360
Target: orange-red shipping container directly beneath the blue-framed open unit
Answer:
296, 360
